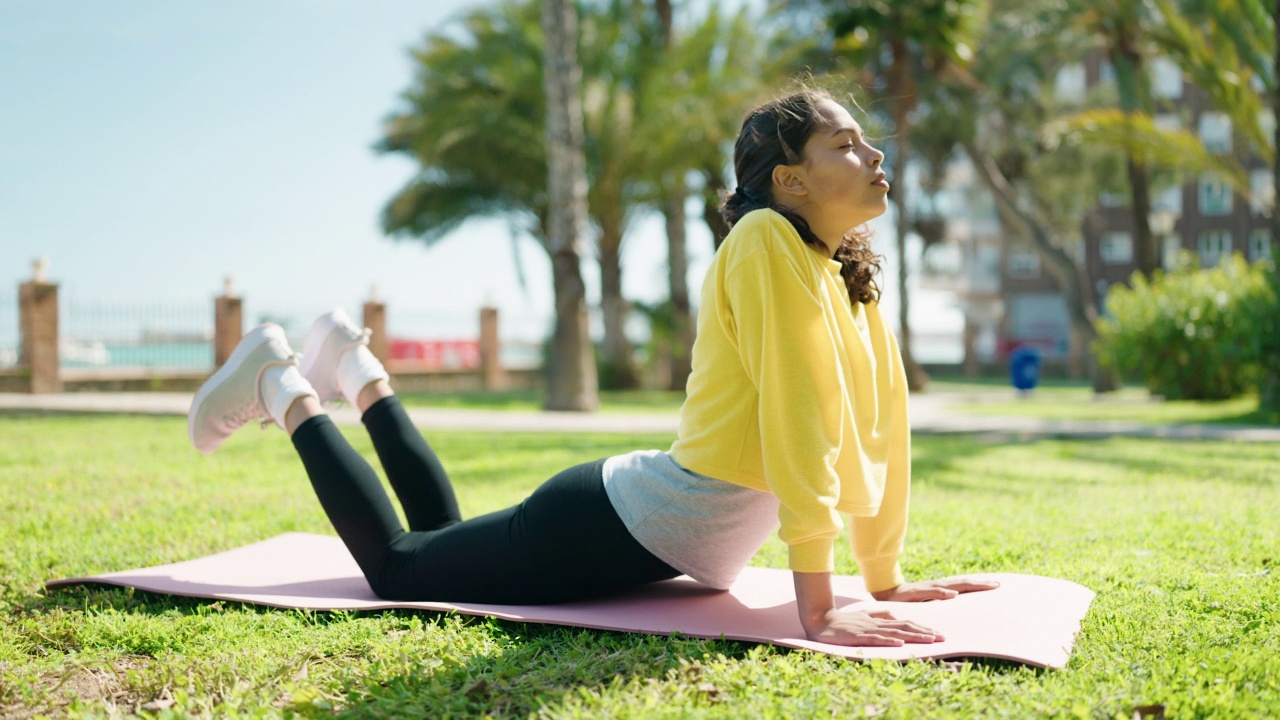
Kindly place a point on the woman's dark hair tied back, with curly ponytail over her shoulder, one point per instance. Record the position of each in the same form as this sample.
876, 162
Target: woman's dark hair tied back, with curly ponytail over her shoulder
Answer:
774, 135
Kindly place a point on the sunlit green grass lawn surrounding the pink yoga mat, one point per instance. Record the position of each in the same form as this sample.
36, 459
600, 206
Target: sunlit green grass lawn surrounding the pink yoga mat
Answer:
1178, 539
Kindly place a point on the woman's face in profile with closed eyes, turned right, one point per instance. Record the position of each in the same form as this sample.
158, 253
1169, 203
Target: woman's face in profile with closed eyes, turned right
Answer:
842, 172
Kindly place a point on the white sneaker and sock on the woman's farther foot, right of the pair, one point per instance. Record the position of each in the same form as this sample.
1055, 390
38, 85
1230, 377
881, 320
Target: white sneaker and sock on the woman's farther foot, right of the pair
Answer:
336, 358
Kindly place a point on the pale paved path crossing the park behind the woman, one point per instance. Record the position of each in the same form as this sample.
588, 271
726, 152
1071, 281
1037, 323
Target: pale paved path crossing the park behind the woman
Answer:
930, 414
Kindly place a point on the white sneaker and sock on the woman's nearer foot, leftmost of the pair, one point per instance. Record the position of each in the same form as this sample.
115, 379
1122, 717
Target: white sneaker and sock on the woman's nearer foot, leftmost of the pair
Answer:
259, 382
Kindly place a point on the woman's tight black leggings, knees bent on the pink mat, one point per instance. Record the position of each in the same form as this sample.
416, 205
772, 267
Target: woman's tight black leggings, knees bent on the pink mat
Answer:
565, 543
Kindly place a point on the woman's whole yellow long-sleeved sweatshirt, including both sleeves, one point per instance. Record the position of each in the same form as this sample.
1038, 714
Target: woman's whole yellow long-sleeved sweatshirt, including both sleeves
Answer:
798, 394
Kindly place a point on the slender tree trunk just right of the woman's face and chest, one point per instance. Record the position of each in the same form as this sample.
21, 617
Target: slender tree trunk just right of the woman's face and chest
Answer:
900, 75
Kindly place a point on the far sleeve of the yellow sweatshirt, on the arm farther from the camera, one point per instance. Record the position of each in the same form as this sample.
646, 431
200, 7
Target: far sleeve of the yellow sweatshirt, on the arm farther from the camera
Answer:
879, 540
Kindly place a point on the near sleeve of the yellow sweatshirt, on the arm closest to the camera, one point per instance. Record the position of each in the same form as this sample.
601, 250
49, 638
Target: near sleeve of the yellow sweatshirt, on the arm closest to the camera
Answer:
790, 356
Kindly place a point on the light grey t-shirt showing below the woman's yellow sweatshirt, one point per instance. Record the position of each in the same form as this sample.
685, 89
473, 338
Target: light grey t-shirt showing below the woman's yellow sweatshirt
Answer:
706, 528
